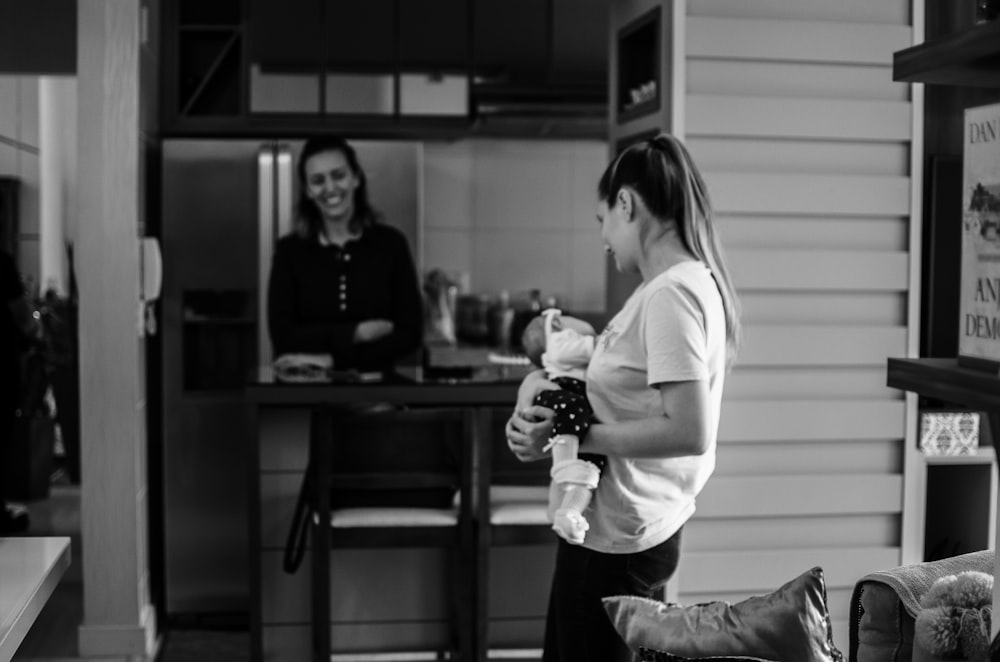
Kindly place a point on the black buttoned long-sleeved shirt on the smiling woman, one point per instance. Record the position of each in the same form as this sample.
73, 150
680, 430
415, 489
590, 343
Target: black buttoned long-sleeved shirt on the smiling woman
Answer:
318, 294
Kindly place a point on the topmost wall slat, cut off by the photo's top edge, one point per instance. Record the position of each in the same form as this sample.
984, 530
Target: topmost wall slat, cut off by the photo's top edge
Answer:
895, 12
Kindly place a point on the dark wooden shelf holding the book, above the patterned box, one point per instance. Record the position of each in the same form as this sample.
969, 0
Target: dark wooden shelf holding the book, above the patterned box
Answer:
944, 379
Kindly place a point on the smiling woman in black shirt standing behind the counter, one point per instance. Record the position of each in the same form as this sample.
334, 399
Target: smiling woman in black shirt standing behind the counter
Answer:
343, 283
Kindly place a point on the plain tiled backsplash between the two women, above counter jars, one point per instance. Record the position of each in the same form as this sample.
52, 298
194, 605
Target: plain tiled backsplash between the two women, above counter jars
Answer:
517, 215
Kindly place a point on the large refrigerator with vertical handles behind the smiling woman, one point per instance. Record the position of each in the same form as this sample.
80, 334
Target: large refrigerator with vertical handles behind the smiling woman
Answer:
225, 203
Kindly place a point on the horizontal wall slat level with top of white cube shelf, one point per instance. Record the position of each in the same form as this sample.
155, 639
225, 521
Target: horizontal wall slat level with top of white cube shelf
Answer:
826, 457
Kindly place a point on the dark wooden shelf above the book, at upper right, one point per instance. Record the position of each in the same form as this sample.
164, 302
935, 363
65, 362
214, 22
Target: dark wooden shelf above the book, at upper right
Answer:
970, 57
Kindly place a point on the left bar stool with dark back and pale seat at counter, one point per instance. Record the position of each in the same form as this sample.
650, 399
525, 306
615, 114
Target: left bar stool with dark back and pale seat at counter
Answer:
400, 478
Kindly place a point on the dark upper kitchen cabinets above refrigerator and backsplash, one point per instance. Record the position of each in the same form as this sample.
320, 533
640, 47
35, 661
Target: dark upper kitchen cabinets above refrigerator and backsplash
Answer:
384, 67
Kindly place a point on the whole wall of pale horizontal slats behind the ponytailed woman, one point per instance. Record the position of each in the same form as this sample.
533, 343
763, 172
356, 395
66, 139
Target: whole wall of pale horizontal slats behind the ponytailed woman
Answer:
804, 142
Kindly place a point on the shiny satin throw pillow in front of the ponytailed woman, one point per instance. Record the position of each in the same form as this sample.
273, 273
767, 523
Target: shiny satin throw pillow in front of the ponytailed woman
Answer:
792, 623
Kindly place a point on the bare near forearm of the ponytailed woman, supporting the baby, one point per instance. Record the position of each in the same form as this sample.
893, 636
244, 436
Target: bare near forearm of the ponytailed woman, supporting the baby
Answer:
655, 437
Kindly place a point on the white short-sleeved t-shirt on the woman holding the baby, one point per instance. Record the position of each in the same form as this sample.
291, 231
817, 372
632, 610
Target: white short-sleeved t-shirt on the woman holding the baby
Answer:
672, 328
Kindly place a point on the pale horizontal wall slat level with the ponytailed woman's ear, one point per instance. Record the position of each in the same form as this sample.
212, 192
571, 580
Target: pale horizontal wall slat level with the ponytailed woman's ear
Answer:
822, 195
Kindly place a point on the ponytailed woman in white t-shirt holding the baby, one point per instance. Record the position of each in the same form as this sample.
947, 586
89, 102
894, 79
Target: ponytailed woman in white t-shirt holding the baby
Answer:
654, 382
